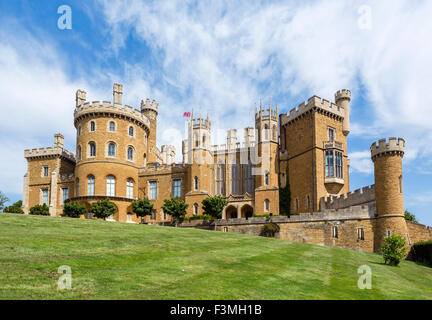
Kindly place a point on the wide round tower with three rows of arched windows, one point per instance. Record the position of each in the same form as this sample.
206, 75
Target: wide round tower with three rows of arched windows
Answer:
110, 143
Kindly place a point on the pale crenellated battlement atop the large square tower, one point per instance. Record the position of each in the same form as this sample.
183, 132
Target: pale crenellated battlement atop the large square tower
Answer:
313, 102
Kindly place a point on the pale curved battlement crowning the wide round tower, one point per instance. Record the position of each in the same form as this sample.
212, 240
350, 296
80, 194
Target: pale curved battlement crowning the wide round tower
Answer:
105, 107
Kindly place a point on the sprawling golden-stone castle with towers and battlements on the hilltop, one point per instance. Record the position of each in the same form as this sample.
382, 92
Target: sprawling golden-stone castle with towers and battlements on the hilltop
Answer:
306, 149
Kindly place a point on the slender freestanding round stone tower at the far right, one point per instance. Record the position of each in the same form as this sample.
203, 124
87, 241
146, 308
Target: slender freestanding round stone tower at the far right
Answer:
387, 159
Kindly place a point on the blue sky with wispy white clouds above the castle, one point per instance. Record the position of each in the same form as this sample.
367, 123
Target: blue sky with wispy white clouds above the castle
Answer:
221, 57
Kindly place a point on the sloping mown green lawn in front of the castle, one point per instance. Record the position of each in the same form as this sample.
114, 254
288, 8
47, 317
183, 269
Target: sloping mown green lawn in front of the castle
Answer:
123, 261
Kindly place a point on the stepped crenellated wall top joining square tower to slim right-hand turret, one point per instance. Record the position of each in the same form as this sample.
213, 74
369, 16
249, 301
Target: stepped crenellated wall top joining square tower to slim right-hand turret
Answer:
354, 198
